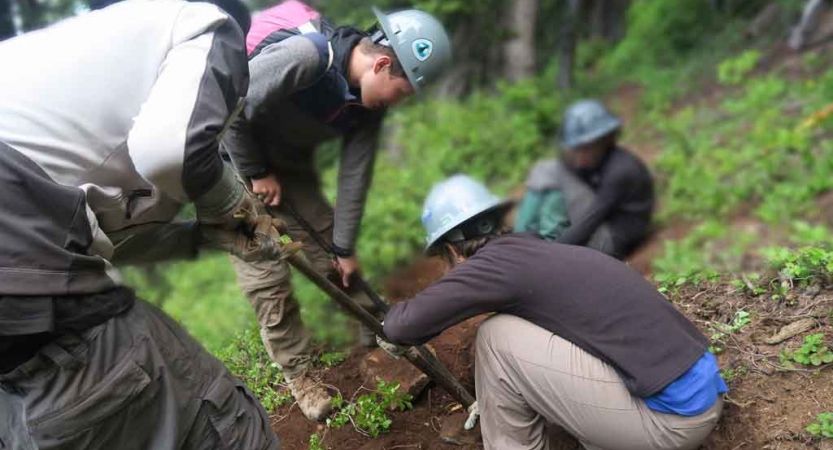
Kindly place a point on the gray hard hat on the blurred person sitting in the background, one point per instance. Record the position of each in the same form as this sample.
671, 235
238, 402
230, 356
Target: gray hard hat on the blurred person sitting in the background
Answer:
585, 121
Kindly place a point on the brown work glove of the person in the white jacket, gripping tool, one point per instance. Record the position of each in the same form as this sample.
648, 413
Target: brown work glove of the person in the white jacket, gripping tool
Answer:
229, 203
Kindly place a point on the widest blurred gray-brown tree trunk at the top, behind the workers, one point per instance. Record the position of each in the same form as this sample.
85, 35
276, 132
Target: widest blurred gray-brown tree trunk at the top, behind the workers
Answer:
520, 49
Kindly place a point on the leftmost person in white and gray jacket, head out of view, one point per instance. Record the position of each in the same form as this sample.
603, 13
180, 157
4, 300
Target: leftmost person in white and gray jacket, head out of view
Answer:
109, 123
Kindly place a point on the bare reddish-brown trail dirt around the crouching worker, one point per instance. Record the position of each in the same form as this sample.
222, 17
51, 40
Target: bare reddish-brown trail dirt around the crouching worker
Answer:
768, 406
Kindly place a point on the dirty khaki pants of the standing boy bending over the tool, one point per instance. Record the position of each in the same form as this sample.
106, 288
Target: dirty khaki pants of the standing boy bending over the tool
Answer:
267, 284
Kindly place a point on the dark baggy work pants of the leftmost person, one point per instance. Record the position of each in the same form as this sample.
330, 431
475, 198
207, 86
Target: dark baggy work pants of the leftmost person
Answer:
137, 381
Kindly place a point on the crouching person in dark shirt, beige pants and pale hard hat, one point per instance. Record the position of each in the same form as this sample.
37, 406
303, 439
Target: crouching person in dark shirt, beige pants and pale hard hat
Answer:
609, 359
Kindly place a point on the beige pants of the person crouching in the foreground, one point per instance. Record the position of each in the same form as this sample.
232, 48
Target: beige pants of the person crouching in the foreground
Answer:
529, 379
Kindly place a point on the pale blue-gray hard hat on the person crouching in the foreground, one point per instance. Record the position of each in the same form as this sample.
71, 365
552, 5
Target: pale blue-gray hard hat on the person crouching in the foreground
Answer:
455, 201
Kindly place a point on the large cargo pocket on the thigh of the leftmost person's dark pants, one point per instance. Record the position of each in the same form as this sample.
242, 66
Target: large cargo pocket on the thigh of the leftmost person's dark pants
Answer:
97, 413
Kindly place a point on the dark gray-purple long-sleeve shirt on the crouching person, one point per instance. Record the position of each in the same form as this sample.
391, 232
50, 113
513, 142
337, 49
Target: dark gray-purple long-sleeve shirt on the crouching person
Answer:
594, 301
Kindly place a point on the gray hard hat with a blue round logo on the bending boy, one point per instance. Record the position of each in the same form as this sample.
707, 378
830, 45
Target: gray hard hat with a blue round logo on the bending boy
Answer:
419, 41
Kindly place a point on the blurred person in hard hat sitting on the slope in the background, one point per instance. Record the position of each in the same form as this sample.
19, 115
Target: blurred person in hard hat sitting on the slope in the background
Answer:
598, 194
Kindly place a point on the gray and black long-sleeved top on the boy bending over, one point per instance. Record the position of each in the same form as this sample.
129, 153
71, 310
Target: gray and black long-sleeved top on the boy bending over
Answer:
277, 131
